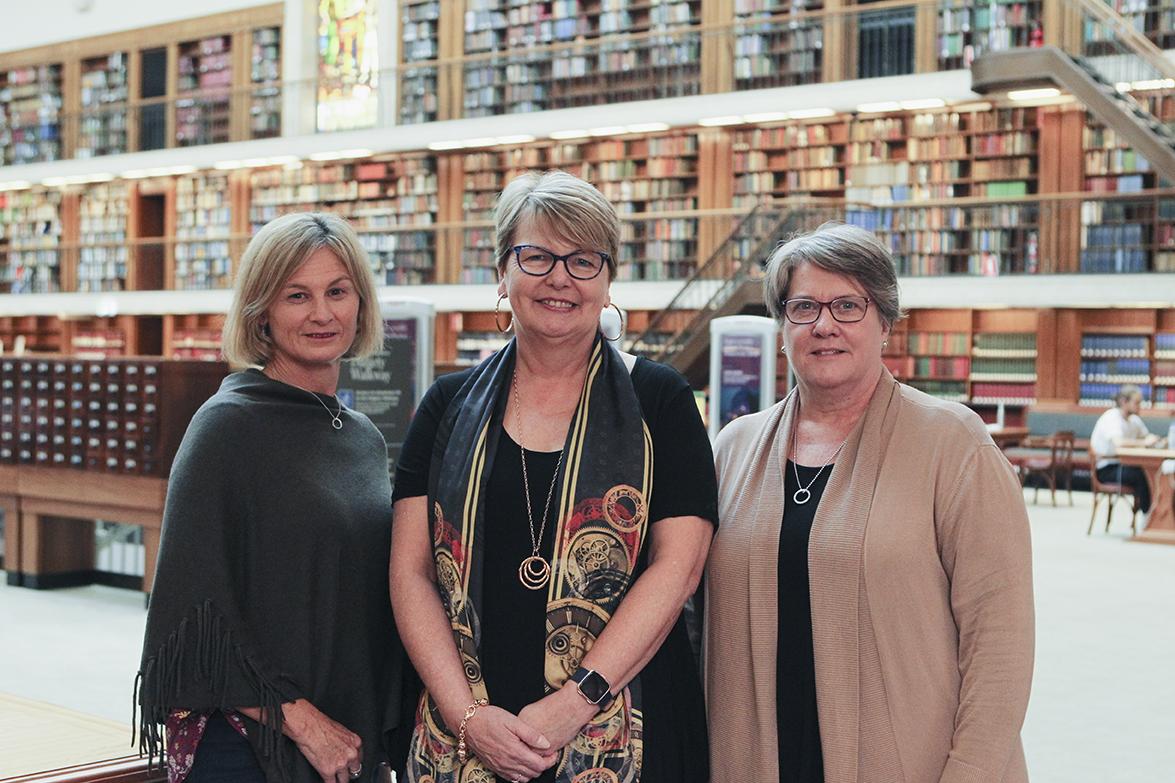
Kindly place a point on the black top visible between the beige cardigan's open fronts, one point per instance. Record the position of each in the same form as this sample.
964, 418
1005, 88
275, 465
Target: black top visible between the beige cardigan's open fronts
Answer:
801, 760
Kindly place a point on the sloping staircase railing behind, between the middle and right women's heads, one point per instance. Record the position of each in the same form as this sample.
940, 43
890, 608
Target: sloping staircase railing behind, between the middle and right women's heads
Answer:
738, 259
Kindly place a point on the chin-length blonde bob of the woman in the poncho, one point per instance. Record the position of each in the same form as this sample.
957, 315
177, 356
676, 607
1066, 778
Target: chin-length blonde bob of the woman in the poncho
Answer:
278, 251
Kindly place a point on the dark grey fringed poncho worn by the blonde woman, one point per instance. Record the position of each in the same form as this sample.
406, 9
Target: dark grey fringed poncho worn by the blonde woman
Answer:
272, 583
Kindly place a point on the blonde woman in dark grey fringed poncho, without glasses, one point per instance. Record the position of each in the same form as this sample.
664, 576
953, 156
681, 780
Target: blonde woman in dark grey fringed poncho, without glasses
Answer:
271, 651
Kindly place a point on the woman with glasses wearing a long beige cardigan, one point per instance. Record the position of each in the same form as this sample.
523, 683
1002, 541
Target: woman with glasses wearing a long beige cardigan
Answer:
869, 595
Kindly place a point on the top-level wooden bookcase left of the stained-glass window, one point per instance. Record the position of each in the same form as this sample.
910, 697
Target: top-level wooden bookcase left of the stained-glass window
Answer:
133, 91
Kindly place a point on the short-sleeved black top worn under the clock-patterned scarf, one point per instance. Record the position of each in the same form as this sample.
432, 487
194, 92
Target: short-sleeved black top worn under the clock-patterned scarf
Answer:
514, 619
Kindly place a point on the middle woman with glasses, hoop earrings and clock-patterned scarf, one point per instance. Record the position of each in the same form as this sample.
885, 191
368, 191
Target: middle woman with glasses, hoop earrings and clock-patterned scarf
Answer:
554, 507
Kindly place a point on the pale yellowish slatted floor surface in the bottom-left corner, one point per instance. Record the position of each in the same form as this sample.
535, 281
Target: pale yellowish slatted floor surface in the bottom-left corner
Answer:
36, 737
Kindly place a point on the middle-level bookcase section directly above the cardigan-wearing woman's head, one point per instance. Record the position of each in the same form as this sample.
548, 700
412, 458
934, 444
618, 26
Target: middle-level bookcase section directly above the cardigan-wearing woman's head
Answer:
903, 162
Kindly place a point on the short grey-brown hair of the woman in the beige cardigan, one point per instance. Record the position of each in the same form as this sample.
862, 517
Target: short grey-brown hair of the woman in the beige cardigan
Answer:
843, 250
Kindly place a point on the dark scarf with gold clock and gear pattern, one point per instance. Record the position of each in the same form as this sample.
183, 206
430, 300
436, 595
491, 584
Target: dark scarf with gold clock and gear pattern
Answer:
603, 492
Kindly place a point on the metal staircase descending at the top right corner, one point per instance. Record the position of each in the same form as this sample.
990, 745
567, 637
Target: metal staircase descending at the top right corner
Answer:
1105, 56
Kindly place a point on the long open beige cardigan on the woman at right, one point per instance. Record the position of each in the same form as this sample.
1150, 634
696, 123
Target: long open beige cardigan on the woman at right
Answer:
922, 599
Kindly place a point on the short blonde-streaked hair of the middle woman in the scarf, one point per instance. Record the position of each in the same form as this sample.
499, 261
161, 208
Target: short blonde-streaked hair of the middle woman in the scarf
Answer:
562, 204
